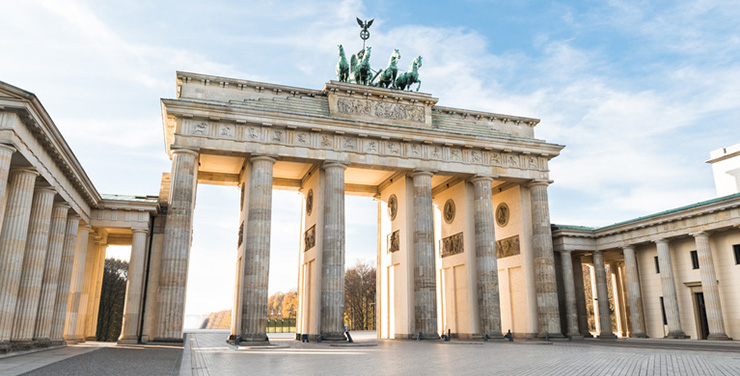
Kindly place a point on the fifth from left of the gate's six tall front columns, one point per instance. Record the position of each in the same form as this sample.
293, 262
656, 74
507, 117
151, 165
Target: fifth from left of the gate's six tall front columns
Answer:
489, 308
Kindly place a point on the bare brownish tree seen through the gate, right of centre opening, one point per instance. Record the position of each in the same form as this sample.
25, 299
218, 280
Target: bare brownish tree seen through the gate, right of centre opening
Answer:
359, 296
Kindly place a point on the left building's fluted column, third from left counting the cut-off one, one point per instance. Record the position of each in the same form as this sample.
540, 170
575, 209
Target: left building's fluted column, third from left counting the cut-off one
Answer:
32, 274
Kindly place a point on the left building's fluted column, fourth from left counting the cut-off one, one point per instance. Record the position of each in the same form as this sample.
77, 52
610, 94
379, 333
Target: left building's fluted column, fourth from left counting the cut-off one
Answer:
50, 278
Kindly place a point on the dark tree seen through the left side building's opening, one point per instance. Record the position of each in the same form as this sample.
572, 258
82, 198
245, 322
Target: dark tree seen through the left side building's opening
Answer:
112, 298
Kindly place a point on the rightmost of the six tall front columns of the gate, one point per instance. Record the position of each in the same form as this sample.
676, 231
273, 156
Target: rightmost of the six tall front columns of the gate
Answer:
544, 262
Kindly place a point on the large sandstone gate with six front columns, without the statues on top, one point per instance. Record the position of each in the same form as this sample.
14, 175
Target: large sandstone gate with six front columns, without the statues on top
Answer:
464, 239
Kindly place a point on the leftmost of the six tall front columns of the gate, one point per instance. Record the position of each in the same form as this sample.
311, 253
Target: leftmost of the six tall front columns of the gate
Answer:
176, 248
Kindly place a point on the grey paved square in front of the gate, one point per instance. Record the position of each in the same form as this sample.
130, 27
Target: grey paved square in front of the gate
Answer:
205, 352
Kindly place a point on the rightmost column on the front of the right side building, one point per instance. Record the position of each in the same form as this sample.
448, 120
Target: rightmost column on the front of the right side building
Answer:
709, 287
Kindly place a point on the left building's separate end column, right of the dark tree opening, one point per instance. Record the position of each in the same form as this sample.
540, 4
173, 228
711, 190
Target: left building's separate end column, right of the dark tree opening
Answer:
134, 286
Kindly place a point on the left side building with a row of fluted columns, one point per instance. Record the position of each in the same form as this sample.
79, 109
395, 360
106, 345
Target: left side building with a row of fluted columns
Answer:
55, 228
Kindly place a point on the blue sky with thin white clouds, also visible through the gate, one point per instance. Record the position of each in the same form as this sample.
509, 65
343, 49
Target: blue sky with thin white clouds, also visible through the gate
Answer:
639, 93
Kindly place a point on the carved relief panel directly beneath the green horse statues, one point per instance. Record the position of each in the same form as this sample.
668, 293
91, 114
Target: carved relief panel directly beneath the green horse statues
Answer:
383, 110
